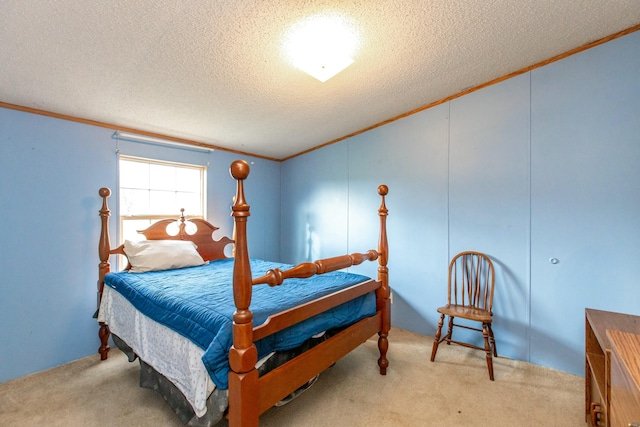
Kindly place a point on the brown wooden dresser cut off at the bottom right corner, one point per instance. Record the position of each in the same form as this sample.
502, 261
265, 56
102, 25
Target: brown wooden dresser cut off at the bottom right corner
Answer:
612, 369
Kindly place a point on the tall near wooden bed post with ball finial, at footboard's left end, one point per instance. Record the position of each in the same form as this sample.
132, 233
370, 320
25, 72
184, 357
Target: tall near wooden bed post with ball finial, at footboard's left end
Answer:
243, 356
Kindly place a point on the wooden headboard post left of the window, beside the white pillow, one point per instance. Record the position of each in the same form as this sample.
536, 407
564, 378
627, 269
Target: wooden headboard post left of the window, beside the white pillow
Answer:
104, 251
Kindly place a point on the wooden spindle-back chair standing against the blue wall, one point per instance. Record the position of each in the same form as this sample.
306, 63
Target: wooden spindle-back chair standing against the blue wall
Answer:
470, 296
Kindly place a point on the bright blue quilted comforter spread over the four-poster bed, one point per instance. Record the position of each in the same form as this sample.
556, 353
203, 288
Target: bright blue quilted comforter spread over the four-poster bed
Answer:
197, 302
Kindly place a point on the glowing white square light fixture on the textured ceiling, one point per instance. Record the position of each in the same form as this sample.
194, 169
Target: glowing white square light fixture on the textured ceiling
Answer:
322, 45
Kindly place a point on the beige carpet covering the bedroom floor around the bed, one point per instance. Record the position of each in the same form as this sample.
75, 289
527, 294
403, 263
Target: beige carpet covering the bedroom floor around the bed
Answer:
453, 391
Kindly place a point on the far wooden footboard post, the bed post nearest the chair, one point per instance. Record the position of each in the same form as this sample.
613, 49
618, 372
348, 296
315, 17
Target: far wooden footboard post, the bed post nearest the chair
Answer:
384, 292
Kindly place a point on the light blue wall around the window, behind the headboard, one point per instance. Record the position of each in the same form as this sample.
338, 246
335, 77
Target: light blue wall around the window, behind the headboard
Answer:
51, 172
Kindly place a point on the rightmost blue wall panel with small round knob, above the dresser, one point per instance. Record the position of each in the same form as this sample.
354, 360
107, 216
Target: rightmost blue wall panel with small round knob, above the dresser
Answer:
585, 218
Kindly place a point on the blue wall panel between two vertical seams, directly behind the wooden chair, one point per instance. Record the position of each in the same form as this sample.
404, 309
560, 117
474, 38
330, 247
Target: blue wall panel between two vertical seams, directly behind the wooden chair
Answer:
489, 197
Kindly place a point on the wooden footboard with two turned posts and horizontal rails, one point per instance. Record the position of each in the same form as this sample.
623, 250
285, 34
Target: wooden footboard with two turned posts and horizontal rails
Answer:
249, 396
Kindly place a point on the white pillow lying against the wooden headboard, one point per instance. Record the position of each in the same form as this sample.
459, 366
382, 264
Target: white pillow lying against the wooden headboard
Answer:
154, 255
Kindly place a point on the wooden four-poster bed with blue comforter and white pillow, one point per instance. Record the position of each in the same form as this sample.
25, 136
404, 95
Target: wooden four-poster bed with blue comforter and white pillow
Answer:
218, 333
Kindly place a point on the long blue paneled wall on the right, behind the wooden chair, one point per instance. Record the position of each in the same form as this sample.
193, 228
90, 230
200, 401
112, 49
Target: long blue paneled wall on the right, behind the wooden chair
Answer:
543, 165
